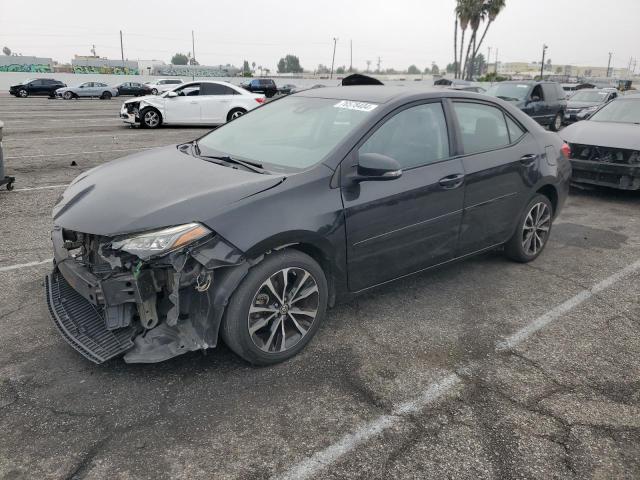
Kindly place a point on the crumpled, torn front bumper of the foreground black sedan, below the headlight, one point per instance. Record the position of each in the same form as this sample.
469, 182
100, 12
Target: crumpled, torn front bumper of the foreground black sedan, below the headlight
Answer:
104, 316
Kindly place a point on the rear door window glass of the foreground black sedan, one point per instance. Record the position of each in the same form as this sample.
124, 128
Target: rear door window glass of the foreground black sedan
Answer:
482, 126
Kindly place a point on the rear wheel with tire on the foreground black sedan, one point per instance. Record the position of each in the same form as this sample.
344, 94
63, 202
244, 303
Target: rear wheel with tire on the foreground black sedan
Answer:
533, 231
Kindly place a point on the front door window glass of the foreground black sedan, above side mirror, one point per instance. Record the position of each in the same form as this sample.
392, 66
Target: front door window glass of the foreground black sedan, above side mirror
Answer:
416, 136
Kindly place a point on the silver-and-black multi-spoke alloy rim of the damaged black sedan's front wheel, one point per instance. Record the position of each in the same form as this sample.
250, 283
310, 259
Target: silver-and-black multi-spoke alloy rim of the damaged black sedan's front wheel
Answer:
283, 310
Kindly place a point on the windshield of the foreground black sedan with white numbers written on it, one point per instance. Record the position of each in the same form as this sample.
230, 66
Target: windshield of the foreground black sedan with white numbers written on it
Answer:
293, 133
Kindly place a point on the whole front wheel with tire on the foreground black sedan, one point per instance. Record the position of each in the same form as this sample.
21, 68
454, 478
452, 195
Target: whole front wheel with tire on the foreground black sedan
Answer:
277, 308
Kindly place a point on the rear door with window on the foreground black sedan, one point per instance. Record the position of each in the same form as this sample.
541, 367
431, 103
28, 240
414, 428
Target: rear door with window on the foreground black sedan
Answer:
501, 164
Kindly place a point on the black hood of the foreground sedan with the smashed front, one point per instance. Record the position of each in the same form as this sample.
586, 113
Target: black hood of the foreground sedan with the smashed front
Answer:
154, 189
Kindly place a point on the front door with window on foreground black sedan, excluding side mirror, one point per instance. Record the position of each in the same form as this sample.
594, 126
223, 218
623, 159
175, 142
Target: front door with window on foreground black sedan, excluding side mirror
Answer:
398, 227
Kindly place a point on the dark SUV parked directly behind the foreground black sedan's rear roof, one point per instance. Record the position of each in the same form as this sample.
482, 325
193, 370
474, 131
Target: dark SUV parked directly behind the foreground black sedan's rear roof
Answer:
545, 102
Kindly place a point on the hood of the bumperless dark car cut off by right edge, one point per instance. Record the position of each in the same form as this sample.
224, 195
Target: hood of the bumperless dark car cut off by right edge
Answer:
603, 134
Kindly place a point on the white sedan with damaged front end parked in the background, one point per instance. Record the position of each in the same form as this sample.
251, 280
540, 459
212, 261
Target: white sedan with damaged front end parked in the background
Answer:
193, 103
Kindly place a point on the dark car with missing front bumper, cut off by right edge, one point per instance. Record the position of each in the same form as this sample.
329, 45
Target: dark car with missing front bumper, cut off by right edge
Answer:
605, 148
